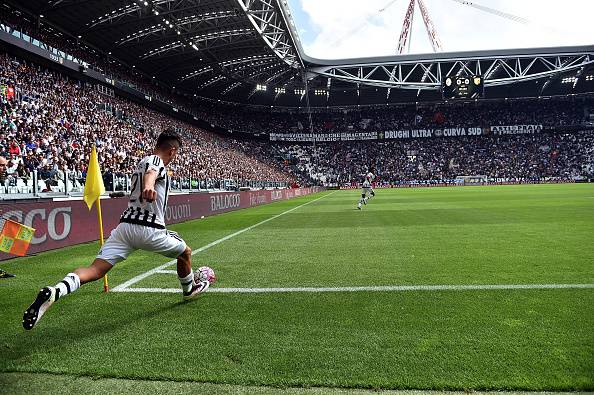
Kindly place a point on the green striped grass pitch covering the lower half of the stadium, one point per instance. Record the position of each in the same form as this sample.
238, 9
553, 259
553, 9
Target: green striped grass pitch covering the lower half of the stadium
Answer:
480, 339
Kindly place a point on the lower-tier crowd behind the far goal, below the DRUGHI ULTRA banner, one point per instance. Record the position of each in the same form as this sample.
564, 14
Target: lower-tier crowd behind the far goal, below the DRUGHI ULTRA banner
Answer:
537, 156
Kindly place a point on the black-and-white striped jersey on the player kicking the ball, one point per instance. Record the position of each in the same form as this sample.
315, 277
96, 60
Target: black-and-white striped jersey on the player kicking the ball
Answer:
140, 211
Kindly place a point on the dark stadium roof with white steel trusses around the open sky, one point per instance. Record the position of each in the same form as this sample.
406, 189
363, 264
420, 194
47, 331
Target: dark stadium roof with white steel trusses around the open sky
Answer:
248, 51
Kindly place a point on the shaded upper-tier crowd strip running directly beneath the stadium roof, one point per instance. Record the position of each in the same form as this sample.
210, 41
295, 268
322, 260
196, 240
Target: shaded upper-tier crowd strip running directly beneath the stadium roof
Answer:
264, 120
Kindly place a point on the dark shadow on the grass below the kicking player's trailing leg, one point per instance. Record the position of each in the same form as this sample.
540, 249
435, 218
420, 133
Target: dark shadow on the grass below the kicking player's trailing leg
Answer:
45, 339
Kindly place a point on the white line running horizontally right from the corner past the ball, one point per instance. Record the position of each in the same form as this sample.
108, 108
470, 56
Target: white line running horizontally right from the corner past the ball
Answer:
385, 288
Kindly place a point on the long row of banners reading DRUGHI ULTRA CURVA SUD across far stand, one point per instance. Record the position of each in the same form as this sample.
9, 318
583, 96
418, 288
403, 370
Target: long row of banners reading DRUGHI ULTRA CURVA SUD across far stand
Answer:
405, 134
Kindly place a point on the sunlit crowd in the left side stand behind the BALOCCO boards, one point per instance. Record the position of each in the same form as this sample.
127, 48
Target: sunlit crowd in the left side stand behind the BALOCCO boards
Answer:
49, 123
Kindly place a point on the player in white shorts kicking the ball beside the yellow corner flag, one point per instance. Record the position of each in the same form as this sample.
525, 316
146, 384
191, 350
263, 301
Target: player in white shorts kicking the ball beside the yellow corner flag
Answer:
142, 226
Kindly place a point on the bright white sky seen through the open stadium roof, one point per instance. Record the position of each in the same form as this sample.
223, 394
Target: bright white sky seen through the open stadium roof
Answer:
335, 29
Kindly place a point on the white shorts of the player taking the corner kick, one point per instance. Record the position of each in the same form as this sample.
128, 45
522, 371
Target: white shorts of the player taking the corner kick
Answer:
127, 238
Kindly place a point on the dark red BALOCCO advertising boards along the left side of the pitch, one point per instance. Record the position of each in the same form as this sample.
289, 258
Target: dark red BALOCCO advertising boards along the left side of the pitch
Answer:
64, 223
